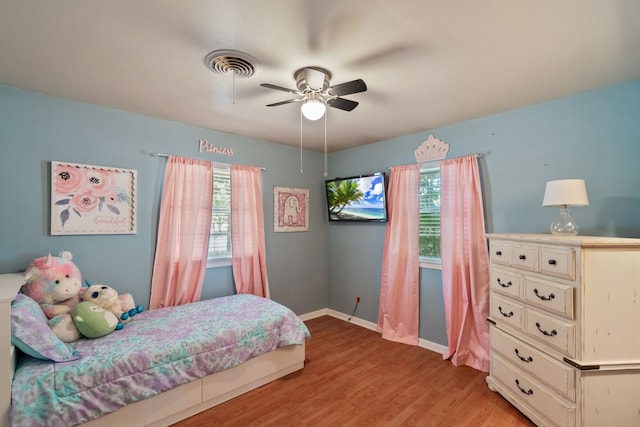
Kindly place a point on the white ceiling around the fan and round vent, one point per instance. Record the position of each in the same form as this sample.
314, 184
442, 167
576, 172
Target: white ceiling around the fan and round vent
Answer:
427, 63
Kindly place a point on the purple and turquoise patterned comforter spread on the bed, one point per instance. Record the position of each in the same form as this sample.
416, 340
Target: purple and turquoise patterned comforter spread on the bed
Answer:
158, 350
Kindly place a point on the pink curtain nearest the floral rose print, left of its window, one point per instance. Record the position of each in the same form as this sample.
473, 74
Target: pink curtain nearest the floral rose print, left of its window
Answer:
183, 233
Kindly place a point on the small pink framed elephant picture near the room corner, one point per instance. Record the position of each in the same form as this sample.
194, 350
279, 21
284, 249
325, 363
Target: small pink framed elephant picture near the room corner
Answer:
290, 209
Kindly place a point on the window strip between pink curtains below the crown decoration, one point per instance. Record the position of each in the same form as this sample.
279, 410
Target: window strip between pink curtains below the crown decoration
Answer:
429, 231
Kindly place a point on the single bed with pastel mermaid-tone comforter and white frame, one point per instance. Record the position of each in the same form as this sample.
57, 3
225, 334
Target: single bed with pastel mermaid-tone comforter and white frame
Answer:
157, 370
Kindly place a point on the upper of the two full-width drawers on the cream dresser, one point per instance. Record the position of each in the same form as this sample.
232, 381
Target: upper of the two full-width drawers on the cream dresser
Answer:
557, 376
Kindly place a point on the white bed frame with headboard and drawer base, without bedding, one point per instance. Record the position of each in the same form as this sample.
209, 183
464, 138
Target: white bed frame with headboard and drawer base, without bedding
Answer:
171, 406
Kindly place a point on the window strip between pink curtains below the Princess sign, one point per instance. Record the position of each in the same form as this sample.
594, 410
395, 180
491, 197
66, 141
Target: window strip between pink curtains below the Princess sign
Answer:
220, 236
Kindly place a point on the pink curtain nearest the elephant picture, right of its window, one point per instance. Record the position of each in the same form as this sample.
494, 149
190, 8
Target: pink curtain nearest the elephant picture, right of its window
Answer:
247, 231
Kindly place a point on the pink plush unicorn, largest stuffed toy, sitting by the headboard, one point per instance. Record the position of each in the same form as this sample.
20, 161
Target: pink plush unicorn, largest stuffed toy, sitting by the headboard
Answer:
56, 284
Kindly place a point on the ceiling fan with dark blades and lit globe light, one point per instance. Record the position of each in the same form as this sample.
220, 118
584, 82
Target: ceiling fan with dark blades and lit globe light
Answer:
315, 92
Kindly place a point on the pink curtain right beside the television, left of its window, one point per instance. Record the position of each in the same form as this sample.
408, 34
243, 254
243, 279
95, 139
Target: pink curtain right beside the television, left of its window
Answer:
398, 312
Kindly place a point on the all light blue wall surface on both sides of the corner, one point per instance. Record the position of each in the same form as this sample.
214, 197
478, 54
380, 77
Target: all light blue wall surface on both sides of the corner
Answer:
595, 136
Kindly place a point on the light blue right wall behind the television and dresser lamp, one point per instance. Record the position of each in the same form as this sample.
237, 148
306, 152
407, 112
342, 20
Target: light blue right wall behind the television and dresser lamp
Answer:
594, 136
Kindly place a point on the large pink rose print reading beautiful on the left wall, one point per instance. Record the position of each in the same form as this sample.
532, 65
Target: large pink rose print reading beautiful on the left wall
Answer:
87, 199
